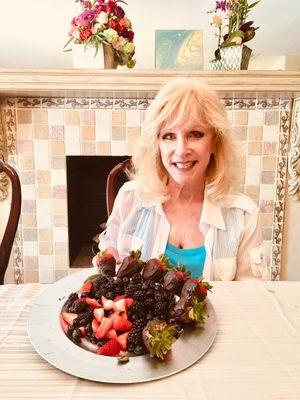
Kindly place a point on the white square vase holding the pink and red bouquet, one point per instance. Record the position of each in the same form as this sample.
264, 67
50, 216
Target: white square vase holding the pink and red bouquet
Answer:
84, 56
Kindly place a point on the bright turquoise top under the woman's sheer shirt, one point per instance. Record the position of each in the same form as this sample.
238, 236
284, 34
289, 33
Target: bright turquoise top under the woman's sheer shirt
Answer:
193, 259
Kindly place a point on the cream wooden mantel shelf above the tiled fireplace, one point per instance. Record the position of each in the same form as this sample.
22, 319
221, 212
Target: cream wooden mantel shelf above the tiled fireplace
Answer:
79, 82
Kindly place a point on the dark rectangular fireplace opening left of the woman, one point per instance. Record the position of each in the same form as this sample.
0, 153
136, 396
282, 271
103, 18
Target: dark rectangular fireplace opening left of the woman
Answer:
86, 182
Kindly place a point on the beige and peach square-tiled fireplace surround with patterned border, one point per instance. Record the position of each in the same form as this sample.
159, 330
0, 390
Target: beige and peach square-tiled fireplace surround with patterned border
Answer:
41, 132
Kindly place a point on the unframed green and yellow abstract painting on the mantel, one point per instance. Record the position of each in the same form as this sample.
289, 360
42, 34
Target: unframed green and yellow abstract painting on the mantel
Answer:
179, 49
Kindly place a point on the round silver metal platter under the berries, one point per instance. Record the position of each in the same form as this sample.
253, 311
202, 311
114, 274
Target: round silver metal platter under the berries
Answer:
49, 340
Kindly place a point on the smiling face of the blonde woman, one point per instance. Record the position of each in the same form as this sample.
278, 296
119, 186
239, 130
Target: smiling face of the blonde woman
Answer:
185, 151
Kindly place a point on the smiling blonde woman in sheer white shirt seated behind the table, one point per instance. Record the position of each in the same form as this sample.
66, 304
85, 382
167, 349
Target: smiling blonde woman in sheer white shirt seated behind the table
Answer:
181, 200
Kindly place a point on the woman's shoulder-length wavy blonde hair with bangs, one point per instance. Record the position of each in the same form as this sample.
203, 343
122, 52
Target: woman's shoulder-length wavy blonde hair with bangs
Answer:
178, 98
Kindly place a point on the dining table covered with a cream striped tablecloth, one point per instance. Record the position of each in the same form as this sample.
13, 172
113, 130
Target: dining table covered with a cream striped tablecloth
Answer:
255, 354
